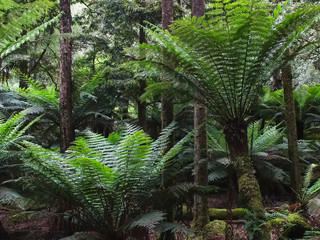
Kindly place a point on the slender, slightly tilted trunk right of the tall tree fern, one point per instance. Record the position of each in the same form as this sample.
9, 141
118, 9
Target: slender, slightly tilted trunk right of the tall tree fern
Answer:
290, 117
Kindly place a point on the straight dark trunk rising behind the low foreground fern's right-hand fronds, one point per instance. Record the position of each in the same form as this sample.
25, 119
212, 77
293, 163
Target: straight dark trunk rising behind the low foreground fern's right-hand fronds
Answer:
166, 100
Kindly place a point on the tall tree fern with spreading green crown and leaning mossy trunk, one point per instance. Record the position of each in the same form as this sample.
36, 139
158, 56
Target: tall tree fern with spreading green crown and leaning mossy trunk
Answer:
226, 58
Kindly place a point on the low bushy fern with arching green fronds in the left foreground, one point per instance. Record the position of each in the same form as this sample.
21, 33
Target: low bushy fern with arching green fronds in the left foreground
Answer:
112, 185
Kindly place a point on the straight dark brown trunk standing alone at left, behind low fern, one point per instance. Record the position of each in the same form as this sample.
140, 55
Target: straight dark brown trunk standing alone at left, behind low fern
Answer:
66, 120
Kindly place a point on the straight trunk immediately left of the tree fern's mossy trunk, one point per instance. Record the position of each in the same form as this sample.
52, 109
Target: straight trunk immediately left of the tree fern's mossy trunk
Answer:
200, 208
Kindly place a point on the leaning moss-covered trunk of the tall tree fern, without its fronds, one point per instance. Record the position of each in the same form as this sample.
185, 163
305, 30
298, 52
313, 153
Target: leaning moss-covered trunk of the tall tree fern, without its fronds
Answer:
249, 190
